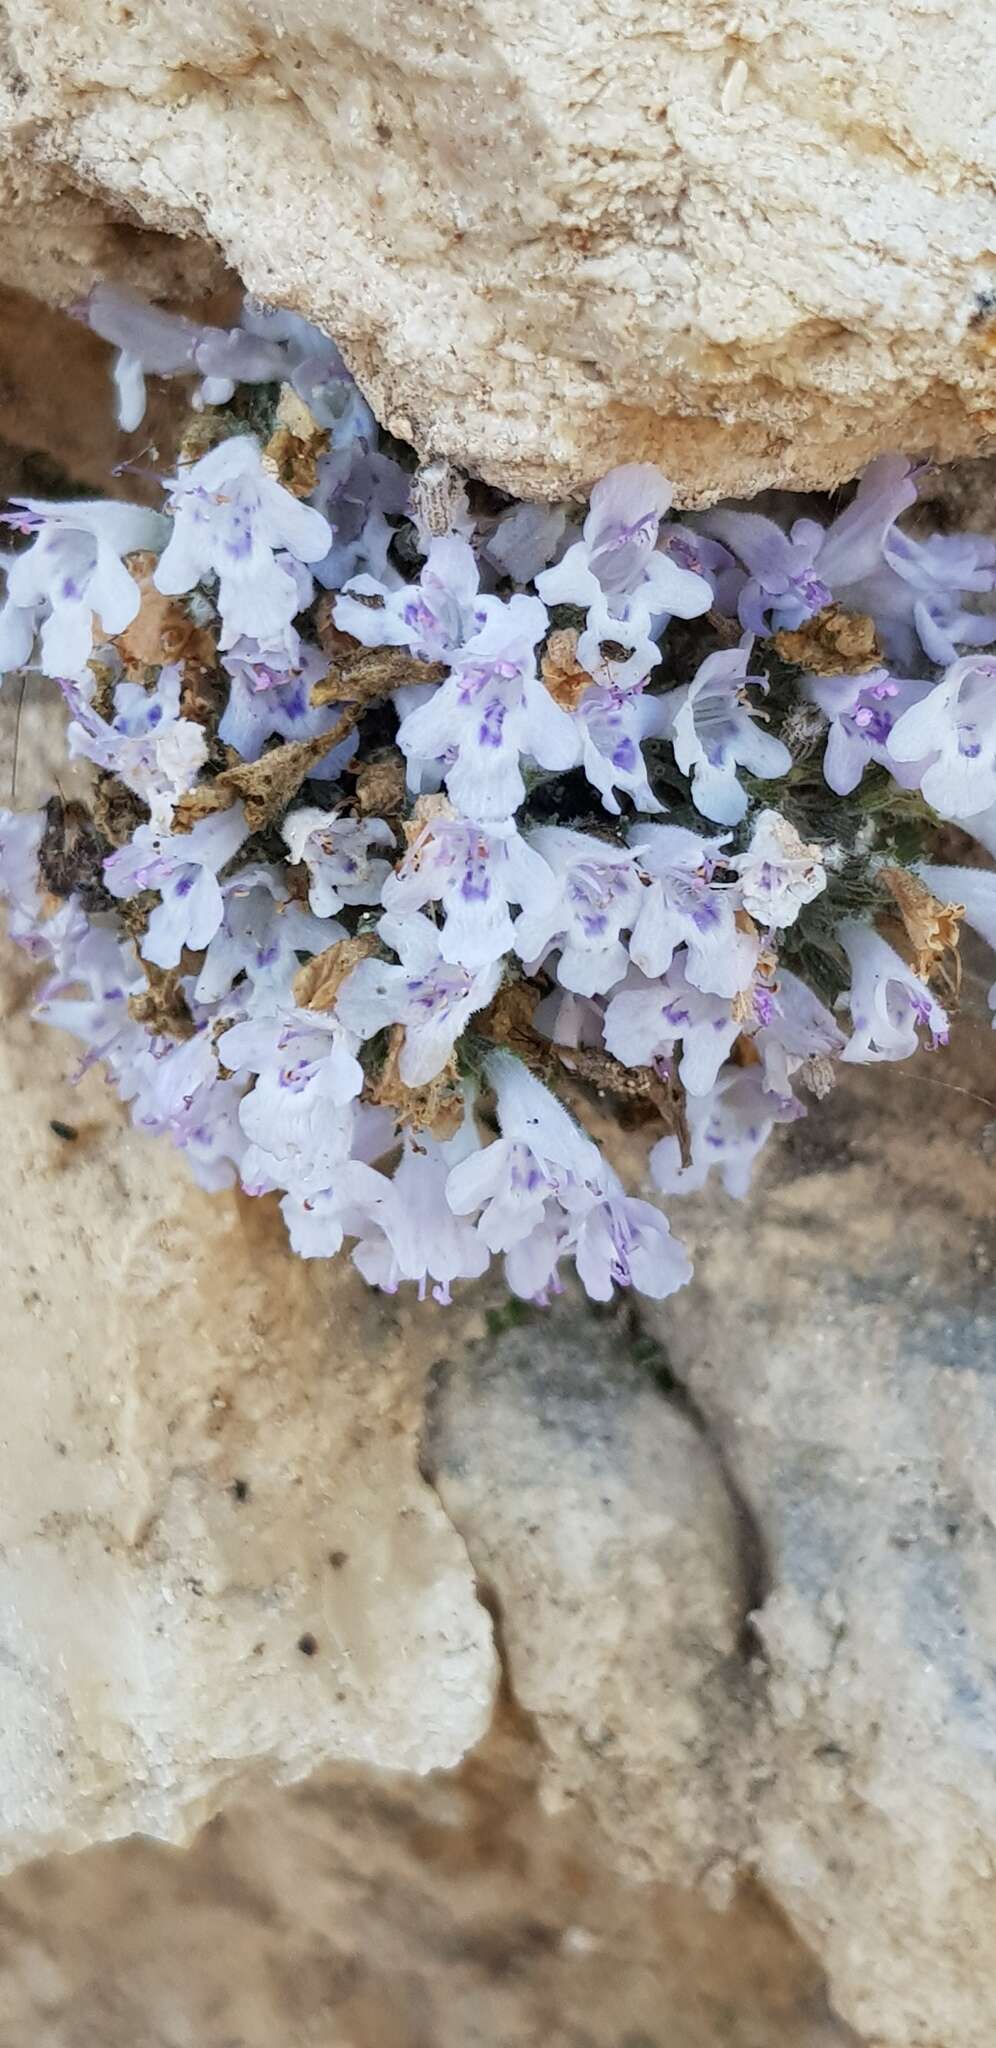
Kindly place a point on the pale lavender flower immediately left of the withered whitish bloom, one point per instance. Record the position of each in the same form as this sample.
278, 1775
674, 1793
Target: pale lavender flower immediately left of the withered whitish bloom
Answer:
686, 906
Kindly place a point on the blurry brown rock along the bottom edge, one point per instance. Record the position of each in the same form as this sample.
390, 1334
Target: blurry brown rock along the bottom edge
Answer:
382, 1912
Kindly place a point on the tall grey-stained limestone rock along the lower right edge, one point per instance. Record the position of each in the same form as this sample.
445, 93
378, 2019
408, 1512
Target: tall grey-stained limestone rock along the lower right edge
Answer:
839, 1340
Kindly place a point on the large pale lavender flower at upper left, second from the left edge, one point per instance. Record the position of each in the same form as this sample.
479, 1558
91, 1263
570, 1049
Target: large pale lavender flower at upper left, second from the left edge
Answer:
231, 519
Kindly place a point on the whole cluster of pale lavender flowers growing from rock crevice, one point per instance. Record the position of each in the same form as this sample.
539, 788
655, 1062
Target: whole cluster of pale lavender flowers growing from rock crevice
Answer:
368, 902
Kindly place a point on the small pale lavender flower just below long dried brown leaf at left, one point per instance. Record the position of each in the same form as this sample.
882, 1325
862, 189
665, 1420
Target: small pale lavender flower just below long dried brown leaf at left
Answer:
183, 869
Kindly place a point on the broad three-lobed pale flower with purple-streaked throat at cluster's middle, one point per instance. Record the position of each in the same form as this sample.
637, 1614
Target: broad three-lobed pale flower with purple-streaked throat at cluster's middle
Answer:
476, 873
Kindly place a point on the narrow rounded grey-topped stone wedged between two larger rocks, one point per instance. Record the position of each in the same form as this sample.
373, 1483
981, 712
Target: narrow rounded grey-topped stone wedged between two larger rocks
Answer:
599, 1521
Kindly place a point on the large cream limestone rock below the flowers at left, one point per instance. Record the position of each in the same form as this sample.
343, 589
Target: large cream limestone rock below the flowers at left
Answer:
218, 1558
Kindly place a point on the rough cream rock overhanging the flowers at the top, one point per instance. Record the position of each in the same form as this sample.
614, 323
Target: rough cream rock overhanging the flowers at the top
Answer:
751, 243
